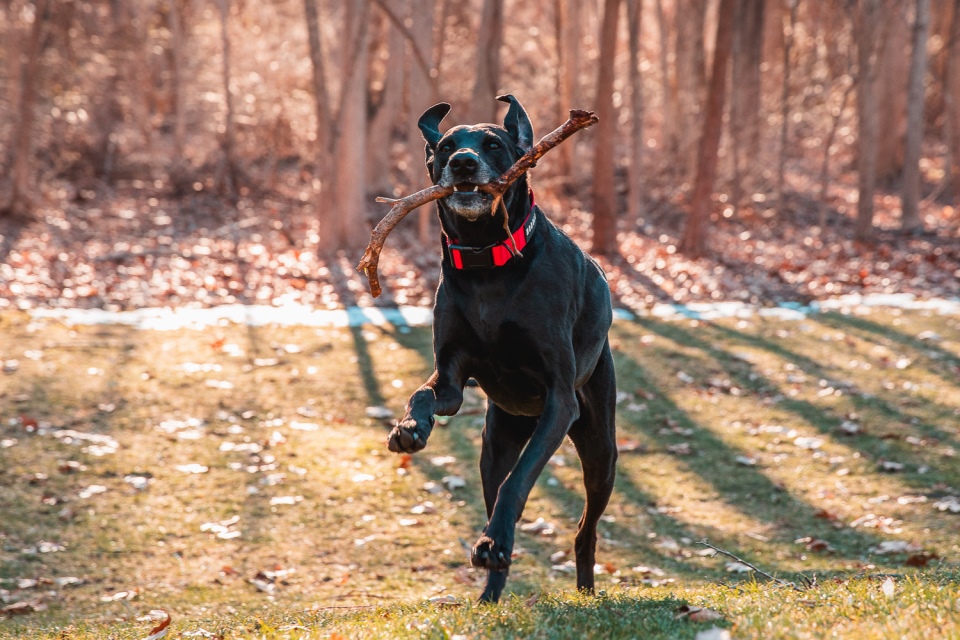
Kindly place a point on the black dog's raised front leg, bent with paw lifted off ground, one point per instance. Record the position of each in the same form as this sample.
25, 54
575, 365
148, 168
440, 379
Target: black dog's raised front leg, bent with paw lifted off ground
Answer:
441, 395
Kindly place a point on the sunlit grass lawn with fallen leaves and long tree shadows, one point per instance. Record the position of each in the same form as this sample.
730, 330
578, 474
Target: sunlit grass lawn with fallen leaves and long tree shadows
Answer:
233, 477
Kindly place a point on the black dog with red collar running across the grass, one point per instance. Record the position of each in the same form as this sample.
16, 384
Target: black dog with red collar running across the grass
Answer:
530, 329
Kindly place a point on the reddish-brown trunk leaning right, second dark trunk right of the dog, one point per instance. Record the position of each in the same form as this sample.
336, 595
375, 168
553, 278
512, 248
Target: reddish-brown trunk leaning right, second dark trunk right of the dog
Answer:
695, 233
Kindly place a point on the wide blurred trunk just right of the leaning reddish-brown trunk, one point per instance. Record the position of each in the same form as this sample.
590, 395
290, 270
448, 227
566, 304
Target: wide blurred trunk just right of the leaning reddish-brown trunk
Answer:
745, 105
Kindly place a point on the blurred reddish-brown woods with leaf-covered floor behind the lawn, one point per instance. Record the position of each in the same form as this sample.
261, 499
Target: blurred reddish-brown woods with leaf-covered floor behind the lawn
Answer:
163, 152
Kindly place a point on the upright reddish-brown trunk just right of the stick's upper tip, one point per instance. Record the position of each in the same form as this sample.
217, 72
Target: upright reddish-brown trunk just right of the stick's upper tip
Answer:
605, 138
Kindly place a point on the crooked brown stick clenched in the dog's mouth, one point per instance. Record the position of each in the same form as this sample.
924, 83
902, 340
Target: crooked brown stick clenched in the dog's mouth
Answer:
496, 188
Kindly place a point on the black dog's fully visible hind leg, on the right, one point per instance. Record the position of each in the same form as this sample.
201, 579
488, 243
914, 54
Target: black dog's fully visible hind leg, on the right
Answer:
594, 436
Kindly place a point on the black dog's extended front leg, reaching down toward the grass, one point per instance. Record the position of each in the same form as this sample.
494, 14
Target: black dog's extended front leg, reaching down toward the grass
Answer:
494, 547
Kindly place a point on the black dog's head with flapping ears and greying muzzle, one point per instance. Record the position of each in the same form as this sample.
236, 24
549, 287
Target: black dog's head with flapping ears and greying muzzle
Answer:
467, 156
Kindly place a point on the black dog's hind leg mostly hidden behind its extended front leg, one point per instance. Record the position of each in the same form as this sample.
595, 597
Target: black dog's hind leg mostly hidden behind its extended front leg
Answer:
504, 437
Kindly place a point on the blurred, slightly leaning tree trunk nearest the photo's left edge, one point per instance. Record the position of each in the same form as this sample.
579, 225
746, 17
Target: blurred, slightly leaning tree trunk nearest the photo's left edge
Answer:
20, 203
